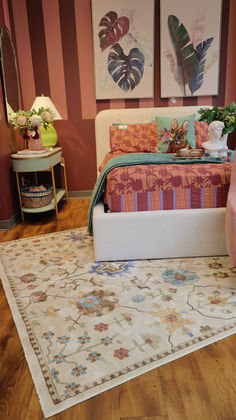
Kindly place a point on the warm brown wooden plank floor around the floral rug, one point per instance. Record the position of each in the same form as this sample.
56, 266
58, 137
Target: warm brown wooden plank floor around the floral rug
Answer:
199, 386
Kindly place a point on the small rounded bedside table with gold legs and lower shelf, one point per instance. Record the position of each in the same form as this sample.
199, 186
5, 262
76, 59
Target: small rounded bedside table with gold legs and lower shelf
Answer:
36, 163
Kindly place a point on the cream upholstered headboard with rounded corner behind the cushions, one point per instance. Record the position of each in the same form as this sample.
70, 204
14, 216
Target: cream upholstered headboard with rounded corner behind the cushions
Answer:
106, 118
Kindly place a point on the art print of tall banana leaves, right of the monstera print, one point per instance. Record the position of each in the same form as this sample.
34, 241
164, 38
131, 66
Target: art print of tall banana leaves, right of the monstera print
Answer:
190, 47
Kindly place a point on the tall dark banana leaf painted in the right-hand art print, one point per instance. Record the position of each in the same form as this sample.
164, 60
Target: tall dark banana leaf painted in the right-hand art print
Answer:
187, 61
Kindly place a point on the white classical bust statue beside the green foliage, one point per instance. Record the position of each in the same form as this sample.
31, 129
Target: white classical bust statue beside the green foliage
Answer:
215, 145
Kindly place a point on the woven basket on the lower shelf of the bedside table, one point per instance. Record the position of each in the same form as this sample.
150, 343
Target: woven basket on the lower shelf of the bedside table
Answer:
35, 196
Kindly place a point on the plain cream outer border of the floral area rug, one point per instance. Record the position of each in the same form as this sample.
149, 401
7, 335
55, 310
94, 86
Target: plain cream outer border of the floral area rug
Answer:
48, 408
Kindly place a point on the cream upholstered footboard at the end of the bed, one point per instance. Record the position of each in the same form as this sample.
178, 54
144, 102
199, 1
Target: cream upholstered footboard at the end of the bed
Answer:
158, 234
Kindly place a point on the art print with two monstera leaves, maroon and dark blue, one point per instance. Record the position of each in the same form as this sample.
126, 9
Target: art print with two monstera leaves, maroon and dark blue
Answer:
123, 41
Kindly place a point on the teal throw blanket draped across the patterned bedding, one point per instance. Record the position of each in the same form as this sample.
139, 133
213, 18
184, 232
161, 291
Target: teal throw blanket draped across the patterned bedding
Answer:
138, 159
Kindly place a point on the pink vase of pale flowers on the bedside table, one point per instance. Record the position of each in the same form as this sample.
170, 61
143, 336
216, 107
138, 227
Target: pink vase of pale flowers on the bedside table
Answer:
29, 123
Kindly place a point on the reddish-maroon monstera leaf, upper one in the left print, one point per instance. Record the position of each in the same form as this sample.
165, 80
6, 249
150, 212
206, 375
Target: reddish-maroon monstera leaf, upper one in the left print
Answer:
114, 29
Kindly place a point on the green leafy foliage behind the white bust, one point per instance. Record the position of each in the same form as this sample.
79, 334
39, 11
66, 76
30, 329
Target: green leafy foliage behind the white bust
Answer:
226, 114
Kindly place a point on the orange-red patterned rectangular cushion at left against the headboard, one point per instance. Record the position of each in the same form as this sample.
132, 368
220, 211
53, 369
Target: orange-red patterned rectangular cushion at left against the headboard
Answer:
134, 138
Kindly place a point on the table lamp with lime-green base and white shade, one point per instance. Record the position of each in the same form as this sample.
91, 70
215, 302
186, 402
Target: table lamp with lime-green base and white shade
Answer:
48, 136
